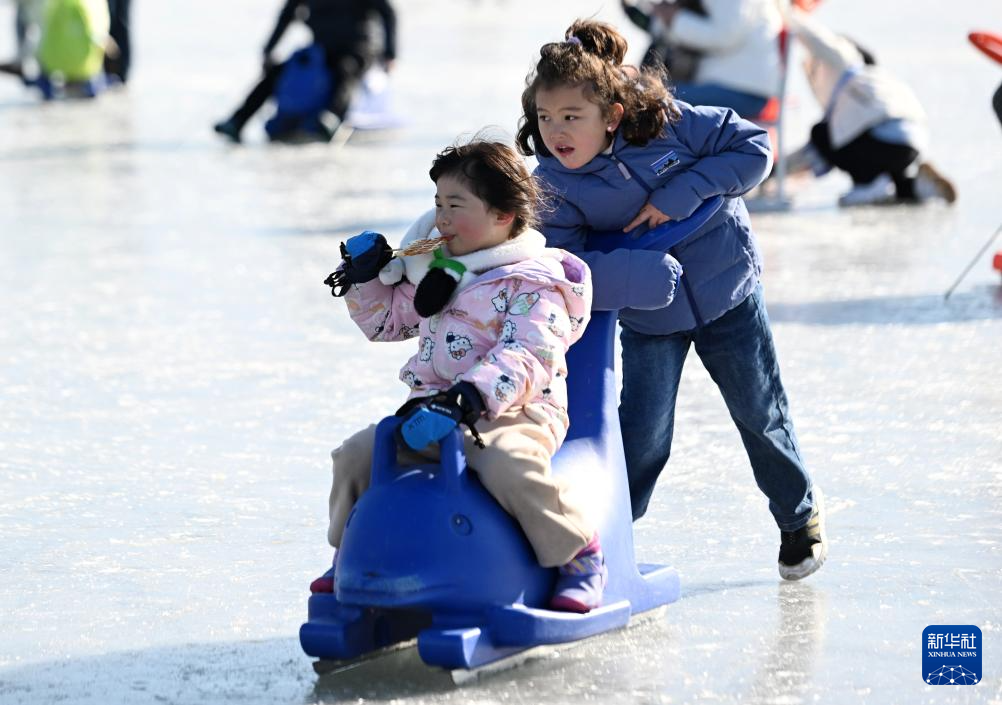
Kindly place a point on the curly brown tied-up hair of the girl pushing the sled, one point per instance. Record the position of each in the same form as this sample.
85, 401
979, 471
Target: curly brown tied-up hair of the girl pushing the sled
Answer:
593, 58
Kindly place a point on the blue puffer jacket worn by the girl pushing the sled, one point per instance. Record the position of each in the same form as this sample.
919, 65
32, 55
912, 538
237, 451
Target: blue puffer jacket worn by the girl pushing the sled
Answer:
711, 152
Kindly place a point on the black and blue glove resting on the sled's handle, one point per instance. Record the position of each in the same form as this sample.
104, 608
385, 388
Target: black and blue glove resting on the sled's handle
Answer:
430, 419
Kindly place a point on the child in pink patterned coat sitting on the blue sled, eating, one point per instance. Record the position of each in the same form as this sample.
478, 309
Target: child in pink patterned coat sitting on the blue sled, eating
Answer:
495, 312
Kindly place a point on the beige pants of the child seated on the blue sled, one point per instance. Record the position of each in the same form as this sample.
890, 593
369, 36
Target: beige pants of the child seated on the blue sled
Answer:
515, 468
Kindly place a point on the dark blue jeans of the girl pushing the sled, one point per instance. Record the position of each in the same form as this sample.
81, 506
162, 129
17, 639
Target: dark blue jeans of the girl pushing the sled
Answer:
739, 354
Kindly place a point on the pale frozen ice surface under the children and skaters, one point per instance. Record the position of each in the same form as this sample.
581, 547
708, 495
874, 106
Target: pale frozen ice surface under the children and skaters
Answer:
173, 375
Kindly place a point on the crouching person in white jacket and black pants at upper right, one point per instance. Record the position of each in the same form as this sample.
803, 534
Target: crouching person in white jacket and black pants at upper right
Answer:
873, 128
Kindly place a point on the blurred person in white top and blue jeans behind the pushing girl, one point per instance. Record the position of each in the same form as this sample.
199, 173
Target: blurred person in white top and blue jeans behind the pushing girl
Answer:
718, 53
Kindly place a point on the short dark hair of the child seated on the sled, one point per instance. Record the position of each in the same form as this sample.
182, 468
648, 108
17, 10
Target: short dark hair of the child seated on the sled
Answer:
496, 175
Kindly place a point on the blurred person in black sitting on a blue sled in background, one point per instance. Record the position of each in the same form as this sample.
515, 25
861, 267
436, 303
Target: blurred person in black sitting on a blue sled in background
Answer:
343, 29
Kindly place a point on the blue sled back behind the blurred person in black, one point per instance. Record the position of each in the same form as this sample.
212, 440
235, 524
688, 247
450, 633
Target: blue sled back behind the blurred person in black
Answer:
303, 92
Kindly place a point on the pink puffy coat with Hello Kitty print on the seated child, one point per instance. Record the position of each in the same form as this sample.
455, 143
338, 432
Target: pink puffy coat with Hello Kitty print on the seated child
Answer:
518, 310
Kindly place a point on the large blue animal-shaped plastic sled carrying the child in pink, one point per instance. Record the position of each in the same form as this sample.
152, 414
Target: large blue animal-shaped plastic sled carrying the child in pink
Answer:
427, 553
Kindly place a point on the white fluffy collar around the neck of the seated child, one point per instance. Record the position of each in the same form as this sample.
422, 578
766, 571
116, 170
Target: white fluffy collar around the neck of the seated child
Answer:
529, 246
